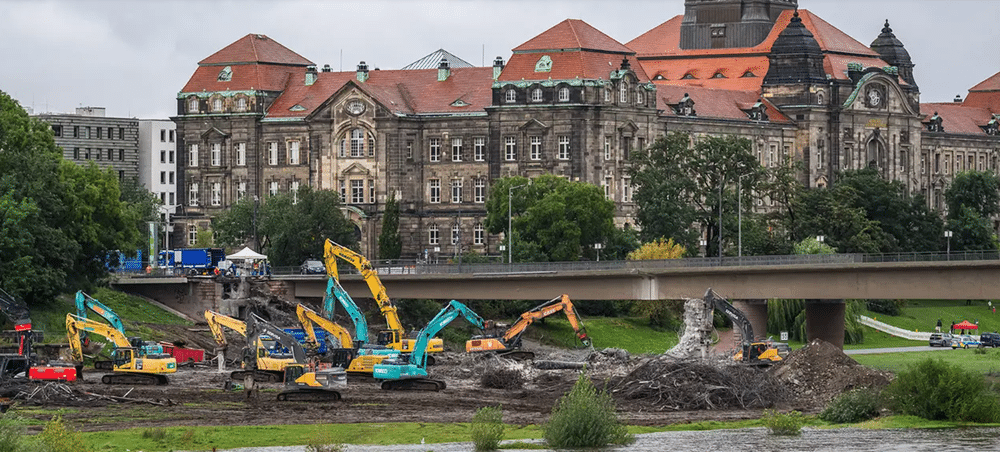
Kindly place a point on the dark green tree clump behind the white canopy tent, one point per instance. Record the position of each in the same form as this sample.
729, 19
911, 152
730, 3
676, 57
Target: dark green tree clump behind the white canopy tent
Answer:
289, 230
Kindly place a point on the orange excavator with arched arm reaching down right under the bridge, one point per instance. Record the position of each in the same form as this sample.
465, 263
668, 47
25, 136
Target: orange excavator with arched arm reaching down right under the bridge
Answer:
508, 344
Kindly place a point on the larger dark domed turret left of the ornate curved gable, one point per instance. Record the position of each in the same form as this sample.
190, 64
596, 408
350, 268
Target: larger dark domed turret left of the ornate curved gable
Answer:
795, 56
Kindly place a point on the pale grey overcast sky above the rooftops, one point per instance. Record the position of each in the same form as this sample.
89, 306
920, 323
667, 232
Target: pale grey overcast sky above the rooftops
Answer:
132, 57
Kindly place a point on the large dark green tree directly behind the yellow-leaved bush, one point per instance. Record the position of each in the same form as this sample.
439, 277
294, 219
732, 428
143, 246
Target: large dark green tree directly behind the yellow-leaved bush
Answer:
680, 187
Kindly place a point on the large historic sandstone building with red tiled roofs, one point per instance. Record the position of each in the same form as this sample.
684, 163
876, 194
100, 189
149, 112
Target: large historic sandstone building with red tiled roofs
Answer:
256, 119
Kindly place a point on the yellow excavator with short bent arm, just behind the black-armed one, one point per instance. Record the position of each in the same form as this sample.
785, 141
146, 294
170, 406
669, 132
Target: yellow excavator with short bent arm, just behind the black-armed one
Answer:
265, 361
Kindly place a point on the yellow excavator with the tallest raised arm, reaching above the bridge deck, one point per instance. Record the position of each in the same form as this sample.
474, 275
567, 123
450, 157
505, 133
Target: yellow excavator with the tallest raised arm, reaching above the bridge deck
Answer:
395, 336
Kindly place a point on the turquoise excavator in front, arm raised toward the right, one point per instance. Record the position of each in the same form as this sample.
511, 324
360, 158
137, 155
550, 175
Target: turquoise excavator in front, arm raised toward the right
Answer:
411, 373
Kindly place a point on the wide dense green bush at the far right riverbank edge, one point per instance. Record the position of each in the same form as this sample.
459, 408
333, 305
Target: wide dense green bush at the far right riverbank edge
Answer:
936, 391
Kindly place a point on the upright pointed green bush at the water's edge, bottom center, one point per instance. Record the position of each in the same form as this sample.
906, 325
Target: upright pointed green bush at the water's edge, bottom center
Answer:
585, 417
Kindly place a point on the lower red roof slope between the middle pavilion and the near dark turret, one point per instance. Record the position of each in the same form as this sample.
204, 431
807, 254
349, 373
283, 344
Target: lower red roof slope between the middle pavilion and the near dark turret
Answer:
715, 103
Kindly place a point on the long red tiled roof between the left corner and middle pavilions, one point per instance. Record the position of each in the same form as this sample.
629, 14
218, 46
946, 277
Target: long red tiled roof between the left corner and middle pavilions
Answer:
401, 91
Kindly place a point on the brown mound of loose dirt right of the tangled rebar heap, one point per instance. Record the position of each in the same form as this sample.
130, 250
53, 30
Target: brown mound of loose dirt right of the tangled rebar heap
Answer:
820, 371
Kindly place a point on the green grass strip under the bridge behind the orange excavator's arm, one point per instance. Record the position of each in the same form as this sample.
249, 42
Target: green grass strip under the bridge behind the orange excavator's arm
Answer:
629, 333
